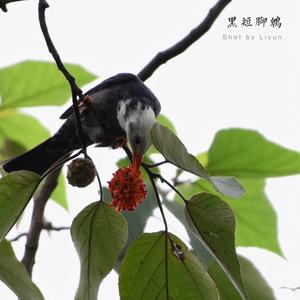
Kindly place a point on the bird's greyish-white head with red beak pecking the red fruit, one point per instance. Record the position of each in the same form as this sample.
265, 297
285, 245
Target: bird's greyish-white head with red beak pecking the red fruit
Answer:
138, 127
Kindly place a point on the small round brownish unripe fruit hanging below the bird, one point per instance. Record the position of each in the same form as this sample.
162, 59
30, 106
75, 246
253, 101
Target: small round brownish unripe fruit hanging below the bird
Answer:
81, 172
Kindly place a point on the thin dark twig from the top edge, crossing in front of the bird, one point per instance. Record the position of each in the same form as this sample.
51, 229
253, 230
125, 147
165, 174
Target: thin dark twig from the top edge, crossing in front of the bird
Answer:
76, 91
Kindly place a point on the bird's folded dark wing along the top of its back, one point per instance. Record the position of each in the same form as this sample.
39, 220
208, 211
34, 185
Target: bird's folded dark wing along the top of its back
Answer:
119, 78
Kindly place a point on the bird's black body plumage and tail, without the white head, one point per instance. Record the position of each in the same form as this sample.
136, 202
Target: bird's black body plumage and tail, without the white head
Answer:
100, 119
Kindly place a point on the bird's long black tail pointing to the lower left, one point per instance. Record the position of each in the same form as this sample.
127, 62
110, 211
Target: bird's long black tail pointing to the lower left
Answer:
38, 159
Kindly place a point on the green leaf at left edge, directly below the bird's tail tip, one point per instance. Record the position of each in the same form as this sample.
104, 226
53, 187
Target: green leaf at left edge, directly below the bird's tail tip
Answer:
16, 189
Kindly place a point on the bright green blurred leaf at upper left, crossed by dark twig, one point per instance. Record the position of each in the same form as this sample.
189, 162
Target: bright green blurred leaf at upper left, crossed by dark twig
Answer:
37, 83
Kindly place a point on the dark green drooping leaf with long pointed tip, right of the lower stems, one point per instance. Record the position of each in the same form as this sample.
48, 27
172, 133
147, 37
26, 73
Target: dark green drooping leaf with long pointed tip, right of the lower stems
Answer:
213, 223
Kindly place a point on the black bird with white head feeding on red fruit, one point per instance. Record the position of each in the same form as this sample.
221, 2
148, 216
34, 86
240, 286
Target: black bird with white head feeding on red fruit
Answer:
120, 109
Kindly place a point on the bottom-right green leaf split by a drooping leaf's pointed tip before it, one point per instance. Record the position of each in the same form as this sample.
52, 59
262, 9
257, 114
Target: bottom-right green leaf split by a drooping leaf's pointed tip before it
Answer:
256, 286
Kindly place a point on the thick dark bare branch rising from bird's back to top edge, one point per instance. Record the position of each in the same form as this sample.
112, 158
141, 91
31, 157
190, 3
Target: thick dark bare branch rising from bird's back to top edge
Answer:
187, 41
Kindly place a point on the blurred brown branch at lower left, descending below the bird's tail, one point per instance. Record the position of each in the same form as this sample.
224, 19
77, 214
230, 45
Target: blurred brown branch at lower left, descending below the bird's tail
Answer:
37, 224
